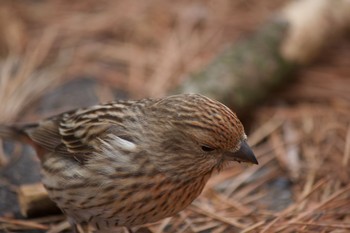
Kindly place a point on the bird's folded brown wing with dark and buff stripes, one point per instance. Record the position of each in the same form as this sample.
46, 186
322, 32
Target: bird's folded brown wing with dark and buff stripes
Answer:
77, 133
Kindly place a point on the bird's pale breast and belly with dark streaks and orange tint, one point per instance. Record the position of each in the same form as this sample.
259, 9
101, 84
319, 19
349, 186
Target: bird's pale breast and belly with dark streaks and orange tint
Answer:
121, 199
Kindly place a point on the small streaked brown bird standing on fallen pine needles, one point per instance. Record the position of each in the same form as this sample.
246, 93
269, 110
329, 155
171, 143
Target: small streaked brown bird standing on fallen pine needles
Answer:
128, 163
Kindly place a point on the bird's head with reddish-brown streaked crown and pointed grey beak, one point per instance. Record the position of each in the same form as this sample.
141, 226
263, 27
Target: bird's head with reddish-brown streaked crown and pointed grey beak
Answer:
193, 134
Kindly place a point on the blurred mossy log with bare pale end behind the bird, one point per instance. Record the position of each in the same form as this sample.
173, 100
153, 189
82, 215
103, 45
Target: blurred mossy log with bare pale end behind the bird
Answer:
244, 74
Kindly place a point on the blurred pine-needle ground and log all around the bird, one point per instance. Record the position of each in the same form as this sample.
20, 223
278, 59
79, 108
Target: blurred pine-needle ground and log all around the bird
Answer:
282, 65
